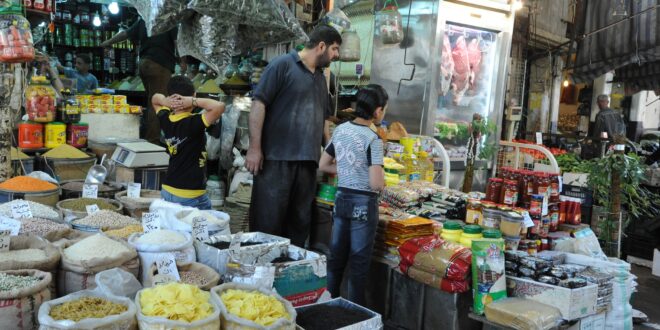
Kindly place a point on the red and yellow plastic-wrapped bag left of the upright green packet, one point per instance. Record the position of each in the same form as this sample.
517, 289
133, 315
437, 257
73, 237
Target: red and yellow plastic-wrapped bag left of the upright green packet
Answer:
430, 254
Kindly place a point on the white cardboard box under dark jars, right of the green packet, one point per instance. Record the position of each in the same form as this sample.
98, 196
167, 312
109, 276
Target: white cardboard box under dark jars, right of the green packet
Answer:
572, 303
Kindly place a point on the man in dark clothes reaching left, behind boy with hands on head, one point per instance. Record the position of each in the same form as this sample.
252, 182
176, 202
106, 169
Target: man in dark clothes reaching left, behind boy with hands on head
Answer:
157, 61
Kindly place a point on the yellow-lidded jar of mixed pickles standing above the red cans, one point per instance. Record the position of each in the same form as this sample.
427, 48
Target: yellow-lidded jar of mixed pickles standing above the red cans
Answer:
40, 100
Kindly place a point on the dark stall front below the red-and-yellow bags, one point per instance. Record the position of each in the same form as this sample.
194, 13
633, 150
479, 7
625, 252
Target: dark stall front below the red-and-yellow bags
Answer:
407, 304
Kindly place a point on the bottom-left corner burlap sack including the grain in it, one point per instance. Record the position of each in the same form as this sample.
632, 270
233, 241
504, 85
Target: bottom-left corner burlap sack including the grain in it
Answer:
21, 294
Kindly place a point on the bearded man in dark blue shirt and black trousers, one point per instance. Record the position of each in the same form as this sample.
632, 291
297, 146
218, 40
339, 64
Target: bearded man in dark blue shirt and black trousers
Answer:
286, 130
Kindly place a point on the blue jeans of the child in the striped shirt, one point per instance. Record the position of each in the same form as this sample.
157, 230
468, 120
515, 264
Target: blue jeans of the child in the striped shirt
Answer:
354, 228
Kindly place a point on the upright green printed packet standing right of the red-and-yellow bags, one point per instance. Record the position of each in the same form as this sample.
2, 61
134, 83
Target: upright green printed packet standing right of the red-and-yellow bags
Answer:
488, 267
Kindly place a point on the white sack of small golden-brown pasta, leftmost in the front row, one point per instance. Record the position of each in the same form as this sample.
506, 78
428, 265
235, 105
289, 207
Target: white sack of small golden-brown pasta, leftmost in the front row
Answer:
88, 309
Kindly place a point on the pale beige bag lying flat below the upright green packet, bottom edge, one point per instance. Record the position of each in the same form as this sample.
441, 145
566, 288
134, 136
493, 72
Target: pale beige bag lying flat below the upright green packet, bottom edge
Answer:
523, 314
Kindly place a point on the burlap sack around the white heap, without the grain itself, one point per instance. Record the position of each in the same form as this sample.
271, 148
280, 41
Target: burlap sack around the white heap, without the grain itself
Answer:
75, 275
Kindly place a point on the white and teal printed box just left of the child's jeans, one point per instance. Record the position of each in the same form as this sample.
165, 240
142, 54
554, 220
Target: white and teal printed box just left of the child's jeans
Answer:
303, 281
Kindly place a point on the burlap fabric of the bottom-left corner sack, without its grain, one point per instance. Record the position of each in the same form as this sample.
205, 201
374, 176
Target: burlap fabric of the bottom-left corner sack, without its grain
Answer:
19, 309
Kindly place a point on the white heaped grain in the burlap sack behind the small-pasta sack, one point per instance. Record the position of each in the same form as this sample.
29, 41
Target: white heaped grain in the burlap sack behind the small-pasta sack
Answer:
96, 246
